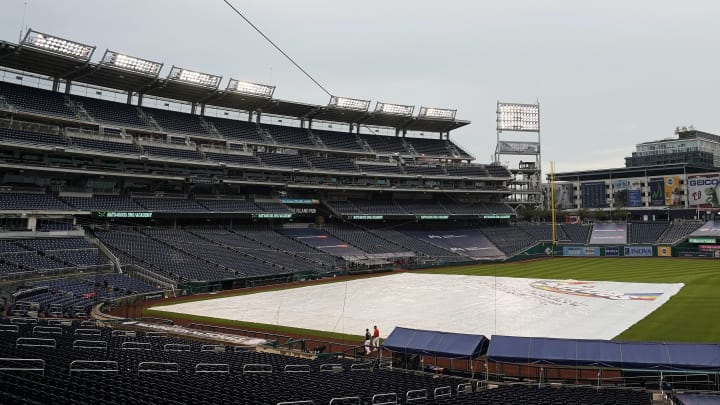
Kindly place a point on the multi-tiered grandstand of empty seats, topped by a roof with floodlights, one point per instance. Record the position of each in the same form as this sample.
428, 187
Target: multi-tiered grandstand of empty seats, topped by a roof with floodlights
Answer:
112, 151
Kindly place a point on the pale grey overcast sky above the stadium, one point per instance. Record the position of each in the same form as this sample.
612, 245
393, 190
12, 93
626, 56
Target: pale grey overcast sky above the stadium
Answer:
608, 74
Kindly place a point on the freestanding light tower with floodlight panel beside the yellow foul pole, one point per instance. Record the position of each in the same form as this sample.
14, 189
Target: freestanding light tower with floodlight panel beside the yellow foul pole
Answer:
518, 135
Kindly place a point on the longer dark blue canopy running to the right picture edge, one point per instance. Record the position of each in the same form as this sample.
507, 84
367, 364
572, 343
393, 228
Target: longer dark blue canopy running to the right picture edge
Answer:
625, 355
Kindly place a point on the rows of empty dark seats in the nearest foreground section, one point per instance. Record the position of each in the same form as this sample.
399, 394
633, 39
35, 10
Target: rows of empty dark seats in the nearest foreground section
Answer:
183, 380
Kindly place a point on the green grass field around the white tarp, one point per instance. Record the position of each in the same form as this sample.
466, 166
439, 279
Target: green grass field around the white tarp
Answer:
689, 316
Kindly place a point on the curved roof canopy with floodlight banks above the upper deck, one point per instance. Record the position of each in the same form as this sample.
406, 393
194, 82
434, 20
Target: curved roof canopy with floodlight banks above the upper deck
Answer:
77, 68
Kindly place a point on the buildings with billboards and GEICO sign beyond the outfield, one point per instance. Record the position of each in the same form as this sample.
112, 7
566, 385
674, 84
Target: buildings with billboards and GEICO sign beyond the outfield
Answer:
669, 178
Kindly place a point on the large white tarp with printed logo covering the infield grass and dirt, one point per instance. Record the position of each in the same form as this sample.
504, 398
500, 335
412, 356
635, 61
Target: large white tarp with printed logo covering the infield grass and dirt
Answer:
483, 305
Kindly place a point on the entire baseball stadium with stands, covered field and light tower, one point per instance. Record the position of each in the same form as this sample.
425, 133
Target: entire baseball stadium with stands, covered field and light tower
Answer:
170, 236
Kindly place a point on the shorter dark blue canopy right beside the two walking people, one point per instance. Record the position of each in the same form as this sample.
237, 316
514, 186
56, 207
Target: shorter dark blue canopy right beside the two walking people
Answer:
434, 343
